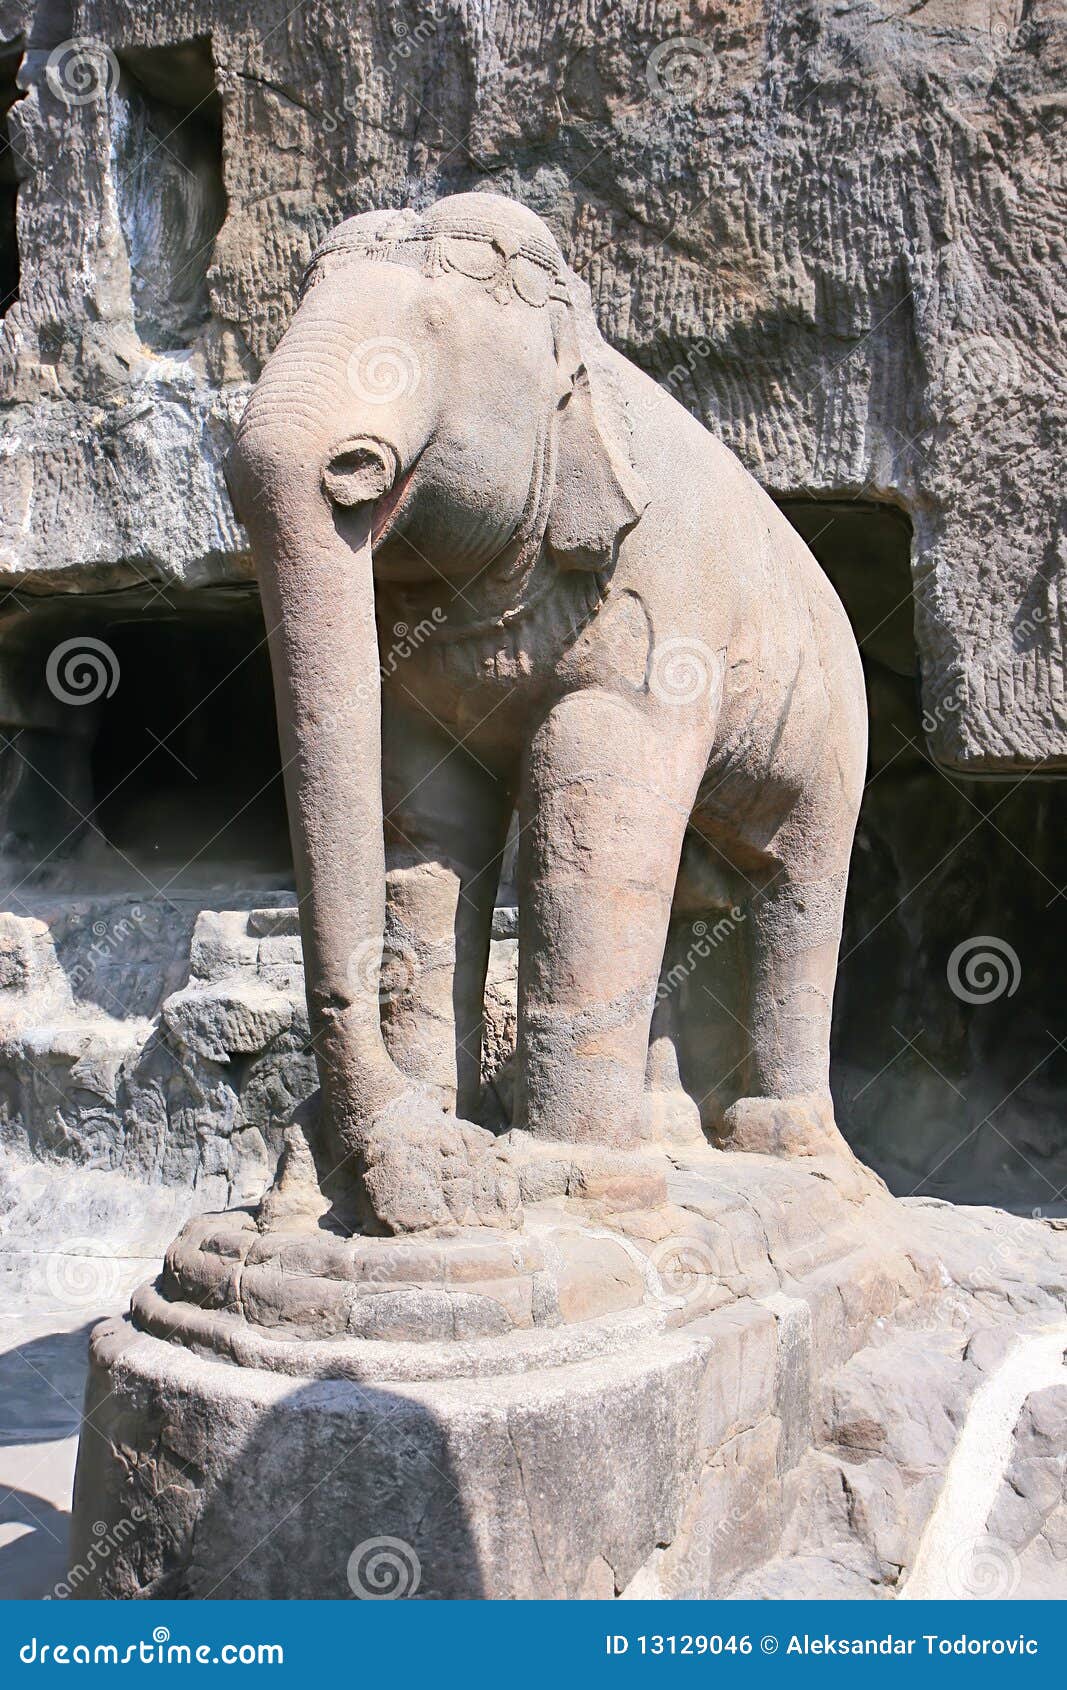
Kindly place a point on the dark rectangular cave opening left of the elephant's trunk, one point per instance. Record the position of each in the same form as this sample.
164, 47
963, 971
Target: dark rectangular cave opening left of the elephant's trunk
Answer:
143, 746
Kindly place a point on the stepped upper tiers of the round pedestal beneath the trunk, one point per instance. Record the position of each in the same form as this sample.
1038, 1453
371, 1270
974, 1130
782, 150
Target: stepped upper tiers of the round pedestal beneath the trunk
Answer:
314, 1302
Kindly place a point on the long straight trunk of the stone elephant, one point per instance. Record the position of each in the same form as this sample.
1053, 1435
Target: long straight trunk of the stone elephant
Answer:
319, 606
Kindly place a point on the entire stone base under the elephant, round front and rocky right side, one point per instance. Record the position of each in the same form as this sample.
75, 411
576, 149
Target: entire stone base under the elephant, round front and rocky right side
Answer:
615, 1402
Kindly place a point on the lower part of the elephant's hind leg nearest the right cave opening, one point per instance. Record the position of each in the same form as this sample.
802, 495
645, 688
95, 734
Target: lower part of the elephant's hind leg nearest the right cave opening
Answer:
794, 935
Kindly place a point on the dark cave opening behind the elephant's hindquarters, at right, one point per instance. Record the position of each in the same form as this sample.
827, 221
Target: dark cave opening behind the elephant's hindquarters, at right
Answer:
946, 1069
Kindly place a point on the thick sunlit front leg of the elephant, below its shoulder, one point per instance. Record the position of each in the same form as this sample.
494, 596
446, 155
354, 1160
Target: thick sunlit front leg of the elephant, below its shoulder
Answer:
605, 807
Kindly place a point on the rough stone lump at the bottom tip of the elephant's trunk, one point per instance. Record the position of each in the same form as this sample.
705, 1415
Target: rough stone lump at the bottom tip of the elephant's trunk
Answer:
424, 1169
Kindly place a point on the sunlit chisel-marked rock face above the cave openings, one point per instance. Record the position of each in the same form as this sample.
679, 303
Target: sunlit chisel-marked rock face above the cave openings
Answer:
834, 232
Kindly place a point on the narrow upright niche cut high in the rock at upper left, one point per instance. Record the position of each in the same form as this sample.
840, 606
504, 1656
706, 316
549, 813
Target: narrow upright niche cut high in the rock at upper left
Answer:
170, 187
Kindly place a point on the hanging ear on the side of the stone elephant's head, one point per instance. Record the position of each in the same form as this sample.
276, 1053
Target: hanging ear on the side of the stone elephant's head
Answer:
598, 494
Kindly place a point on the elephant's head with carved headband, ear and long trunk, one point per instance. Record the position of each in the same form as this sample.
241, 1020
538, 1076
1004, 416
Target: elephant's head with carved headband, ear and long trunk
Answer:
442, 405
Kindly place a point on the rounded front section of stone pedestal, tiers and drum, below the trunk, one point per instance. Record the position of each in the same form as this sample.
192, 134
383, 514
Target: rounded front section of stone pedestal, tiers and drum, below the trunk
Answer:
282, 1409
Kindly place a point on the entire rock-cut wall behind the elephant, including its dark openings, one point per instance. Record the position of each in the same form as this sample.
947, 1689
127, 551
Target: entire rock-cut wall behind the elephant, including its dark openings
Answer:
834, 232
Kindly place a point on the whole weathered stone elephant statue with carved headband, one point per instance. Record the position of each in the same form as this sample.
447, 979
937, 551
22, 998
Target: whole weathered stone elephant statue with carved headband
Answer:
503, 572
